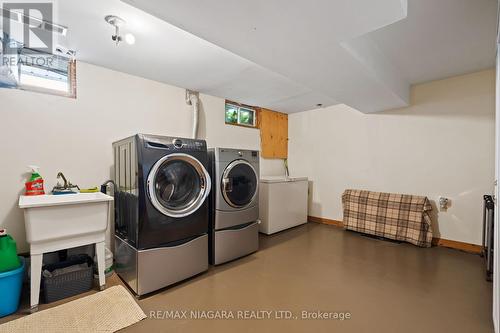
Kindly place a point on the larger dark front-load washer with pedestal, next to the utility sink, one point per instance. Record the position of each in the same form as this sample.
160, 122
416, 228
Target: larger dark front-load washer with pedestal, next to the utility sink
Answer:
161, 222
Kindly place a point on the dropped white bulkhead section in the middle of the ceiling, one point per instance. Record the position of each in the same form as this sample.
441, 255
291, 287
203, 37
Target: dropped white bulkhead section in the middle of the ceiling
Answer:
300, 40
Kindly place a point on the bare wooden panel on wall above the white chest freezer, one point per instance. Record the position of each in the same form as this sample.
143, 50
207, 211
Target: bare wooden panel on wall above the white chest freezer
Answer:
273, 134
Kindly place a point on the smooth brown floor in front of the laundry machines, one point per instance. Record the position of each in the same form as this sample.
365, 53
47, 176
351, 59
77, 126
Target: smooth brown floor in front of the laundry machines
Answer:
384, 286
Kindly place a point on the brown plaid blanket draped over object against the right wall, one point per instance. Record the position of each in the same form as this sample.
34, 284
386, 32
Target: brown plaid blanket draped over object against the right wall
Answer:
400, 217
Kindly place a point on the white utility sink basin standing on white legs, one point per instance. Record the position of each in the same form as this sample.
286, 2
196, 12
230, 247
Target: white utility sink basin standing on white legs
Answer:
57, 222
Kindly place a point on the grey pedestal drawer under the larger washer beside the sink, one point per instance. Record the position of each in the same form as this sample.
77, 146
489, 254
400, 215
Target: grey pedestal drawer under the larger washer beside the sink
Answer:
148, 270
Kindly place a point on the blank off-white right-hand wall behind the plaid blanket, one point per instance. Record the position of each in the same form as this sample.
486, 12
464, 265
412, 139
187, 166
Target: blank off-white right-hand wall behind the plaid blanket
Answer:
443, 144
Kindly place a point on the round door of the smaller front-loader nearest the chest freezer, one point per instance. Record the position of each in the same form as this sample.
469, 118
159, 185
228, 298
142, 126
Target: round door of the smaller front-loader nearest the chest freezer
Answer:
239, 184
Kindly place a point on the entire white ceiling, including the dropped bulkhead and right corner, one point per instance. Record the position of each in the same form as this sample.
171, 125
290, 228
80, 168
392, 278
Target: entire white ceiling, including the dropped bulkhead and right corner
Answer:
289, 55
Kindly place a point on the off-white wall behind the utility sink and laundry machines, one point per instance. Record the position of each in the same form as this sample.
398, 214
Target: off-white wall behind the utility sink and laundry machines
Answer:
75, 136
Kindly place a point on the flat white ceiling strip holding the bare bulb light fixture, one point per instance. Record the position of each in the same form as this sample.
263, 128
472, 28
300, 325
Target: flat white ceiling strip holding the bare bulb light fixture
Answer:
165, 53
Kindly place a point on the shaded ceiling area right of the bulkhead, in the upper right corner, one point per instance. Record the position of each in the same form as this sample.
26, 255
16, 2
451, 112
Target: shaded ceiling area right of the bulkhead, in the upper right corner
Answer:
441, 38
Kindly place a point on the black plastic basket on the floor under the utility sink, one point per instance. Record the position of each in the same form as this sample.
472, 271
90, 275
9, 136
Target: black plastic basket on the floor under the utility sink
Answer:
70, 283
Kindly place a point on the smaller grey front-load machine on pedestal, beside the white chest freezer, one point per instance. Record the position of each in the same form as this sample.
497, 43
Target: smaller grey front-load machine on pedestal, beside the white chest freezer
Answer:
234, 229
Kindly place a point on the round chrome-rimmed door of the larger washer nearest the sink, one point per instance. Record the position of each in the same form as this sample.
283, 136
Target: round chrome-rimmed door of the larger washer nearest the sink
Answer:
178, 184
